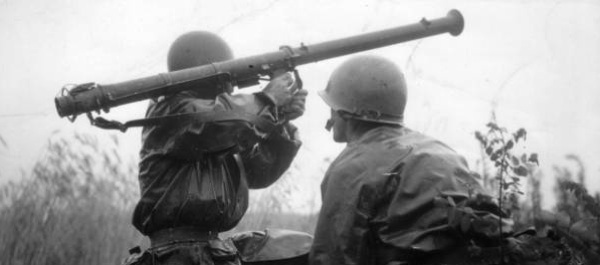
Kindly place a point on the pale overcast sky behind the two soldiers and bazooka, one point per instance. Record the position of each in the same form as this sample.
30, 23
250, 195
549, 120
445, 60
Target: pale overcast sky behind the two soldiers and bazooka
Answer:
534, 63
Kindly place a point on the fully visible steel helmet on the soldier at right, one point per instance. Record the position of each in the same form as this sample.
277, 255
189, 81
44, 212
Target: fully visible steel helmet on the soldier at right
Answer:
370, 88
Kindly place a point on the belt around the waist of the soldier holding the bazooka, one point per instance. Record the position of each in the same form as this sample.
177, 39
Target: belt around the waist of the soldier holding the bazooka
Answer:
180, 235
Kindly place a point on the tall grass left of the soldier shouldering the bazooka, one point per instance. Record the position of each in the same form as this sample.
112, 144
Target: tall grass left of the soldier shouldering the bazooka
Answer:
74, 208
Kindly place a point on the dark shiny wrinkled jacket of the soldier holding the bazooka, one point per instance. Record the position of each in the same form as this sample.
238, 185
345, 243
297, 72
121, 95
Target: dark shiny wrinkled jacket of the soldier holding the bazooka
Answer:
198, 174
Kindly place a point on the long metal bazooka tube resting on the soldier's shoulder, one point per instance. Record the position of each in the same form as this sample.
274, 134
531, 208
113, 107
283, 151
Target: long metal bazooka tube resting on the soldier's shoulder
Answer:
243, 72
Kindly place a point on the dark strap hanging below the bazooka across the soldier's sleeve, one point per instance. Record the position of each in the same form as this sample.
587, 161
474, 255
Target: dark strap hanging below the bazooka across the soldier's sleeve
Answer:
264, 124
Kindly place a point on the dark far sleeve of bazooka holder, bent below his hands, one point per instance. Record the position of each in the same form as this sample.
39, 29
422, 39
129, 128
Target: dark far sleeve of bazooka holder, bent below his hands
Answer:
271, 157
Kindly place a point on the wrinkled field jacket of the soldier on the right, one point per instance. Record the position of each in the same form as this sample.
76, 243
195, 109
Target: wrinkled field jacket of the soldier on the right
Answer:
379, 198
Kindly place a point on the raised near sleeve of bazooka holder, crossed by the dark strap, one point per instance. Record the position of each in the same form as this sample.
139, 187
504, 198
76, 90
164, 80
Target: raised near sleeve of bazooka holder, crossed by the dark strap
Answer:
191, 140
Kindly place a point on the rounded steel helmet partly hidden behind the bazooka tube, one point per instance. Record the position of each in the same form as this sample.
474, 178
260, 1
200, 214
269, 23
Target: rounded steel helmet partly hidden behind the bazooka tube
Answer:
197, 48
